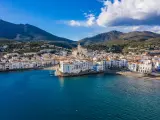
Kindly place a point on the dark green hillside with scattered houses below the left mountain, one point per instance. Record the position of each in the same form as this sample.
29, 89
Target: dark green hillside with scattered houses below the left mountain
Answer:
10, 46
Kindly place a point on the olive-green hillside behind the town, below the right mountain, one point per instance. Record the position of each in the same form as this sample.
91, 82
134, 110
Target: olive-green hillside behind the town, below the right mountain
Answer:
126, 46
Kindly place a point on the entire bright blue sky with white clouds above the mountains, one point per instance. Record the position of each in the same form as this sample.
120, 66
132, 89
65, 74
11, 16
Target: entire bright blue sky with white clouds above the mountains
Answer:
76, 19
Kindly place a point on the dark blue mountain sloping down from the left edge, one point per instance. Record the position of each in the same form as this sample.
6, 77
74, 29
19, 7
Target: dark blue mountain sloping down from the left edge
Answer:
26, 32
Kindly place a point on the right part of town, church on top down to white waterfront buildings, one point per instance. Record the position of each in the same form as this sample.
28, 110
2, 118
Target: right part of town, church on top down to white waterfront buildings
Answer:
85, 61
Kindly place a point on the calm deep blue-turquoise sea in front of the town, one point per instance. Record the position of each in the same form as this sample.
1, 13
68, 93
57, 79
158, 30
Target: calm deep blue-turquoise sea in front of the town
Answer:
36, 95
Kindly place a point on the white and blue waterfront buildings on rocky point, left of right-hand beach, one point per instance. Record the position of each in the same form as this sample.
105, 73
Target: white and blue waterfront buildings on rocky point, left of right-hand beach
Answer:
78, 66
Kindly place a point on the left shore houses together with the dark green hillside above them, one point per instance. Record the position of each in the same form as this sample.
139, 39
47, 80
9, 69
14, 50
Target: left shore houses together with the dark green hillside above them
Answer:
30, 55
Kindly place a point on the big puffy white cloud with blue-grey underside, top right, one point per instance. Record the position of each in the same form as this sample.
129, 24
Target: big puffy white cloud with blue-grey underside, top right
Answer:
129, 12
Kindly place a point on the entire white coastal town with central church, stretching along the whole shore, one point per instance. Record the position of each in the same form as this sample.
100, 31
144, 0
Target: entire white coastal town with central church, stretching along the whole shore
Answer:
83, 61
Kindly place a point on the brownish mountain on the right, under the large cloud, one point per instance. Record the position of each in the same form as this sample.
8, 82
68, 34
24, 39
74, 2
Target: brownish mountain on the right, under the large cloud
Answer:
116, 35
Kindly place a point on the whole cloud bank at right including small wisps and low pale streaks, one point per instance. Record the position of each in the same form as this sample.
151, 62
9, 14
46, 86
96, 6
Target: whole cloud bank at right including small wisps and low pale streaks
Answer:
123, 15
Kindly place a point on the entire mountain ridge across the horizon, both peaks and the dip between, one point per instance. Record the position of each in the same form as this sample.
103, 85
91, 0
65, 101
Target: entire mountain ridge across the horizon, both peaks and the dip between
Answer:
27, 32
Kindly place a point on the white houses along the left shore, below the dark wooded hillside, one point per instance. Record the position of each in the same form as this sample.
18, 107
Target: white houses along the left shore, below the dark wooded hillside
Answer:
14, 61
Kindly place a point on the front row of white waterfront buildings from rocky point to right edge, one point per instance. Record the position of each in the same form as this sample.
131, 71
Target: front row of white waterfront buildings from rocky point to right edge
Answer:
78, 66
